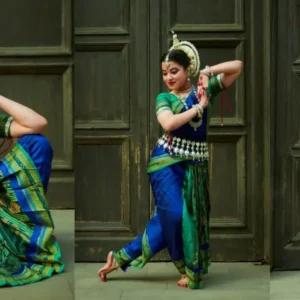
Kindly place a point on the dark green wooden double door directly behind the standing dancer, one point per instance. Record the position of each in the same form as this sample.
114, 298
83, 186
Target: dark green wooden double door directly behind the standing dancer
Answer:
117, 78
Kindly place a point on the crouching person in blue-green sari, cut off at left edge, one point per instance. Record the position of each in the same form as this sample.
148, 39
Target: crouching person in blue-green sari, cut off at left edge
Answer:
29, 251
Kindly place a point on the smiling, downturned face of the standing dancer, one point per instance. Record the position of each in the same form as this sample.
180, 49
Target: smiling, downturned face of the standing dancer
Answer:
174, 75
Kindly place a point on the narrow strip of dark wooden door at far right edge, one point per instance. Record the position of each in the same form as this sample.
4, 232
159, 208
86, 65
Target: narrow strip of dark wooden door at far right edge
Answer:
286, 137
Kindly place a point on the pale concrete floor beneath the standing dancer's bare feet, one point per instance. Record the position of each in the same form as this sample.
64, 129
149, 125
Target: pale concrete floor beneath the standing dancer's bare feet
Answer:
225, 281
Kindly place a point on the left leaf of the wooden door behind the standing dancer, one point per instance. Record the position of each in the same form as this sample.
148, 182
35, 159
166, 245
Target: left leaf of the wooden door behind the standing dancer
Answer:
111, 84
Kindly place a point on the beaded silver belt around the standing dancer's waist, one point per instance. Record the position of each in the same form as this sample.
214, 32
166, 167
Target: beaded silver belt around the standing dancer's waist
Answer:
184, 148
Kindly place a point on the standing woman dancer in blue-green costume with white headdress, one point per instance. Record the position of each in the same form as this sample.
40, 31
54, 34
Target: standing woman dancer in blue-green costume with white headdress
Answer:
178, 170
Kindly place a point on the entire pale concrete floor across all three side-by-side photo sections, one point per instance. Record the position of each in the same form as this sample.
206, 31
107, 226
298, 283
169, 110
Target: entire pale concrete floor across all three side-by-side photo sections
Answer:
241, 281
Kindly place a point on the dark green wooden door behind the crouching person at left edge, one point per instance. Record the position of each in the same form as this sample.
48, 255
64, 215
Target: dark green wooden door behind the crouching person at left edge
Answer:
36, 70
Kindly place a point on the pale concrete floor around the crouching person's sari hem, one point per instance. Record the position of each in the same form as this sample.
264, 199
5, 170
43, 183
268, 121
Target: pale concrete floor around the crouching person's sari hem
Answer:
59, 287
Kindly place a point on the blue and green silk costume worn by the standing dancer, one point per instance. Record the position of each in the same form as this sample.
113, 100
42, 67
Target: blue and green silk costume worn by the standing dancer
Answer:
180, 184
